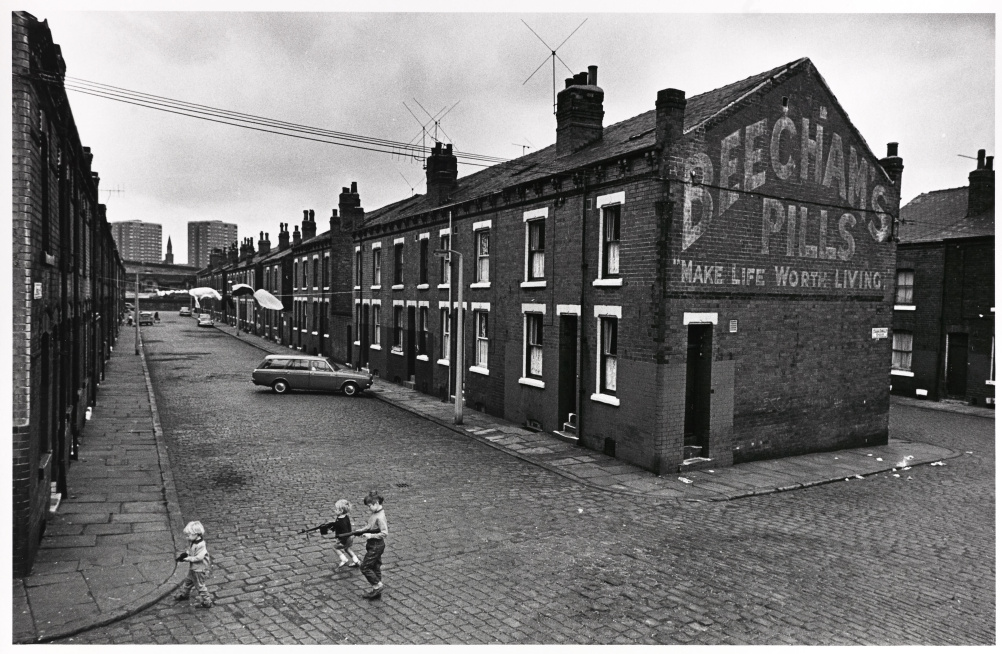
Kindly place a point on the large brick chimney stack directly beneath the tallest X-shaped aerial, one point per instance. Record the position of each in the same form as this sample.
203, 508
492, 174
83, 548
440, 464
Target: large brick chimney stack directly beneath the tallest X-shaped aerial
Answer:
580, 113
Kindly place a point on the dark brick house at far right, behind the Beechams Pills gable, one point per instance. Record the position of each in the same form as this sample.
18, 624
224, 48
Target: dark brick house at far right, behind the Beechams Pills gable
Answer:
944, 318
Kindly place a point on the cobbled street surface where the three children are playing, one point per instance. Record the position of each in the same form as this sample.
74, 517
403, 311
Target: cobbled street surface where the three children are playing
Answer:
485, 548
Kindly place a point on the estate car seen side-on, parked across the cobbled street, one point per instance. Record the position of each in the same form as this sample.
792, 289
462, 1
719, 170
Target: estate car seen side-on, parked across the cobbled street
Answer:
285, 373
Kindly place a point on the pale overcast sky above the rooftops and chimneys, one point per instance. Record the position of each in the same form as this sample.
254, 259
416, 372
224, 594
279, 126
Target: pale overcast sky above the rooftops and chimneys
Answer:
923, 81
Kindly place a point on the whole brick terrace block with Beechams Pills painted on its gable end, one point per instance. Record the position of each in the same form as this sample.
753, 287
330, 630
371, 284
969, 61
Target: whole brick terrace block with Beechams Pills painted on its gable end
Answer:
699, 285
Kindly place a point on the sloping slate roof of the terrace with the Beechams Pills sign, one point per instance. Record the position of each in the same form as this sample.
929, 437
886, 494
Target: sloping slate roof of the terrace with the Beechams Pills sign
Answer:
631, 136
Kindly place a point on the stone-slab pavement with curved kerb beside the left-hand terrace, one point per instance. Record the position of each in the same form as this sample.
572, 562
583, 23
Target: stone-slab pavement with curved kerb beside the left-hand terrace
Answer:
110, 549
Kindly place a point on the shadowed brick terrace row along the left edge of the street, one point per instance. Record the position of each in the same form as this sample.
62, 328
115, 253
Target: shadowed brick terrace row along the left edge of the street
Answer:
67, 285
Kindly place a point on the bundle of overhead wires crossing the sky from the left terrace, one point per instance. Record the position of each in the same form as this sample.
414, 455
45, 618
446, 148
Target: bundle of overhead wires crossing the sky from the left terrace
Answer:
257, 124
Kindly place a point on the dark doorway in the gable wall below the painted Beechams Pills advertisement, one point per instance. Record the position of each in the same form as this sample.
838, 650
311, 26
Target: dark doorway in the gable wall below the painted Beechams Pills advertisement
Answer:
699, 356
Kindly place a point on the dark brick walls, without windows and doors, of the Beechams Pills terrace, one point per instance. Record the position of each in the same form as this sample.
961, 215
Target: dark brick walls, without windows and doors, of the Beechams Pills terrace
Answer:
802, 372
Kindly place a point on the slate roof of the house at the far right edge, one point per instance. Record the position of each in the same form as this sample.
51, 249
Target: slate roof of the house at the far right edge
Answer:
942, 215
